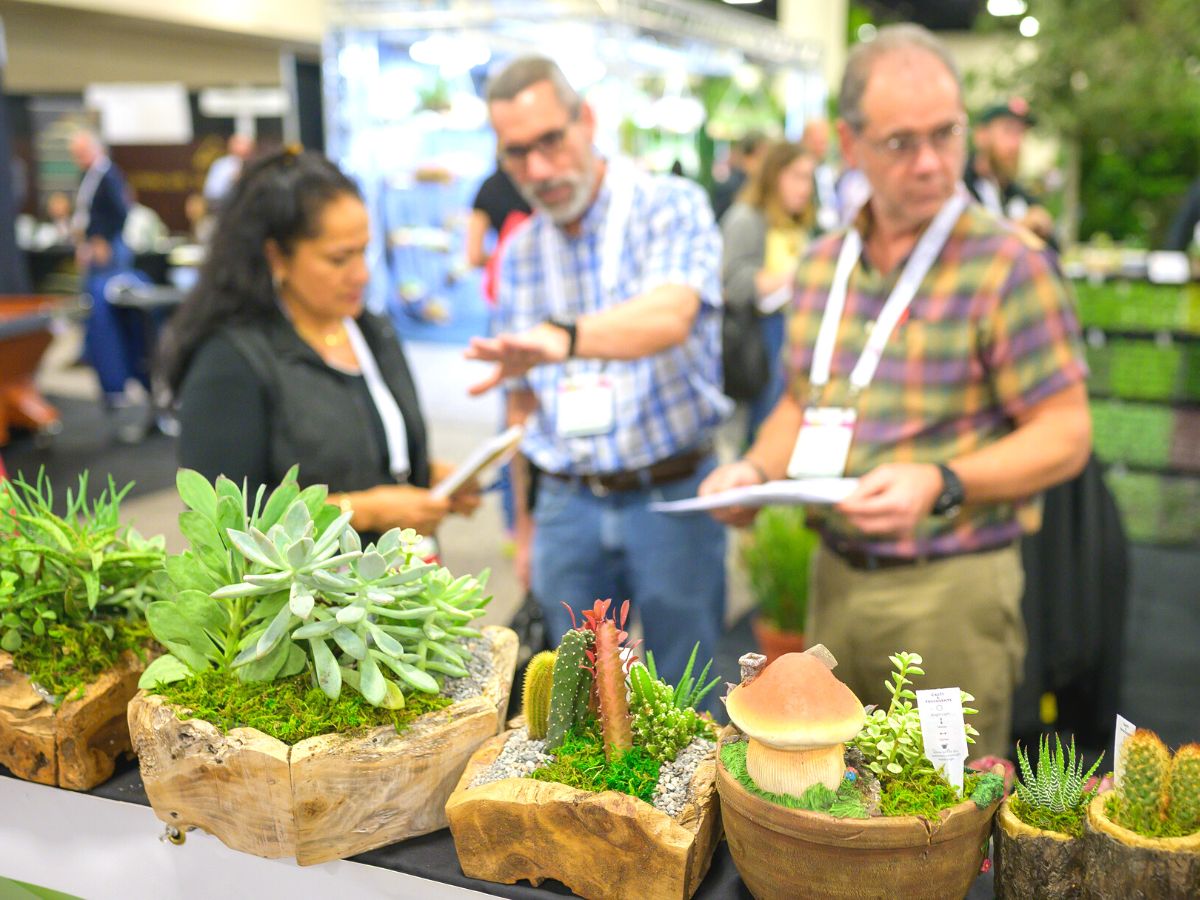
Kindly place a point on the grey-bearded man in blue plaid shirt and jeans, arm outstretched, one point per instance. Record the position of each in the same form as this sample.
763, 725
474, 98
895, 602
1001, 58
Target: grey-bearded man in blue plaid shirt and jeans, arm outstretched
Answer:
609, 313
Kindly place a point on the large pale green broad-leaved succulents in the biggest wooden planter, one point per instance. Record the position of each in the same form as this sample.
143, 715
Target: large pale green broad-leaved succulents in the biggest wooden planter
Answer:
283, 585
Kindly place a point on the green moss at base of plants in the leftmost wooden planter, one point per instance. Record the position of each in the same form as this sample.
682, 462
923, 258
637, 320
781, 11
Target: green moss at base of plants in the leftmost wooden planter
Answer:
68, 658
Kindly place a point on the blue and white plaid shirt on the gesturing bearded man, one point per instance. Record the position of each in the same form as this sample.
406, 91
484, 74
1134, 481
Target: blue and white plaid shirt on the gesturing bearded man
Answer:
665, 404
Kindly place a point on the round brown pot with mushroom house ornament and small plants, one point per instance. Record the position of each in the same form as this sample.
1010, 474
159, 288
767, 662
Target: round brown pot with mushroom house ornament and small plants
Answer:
820, 800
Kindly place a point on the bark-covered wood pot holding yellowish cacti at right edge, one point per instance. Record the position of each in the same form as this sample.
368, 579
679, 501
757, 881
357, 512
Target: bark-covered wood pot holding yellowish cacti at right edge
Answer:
1121, 865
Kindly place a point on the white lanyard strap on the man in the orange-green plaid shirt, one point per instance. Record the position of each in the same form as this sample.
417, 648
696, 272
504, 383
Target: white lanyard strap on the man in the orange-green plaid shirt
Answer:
923, 257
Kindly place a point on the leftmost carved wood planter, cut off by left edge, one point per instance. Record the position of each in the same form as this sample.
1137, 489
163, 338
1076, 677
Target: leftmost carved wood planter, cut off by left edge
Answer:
75, 745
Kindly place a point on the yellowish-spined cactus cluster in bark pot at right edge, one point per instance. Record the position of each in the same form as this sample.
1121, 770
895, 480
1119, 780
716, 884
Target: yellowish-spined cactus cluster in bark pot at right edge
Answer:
1159, 796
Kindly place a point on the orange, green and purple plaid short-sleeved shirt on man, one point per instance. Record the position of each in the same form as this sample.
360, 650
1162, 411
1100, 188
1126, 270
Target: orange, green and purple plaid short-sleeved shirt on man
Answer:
991, 333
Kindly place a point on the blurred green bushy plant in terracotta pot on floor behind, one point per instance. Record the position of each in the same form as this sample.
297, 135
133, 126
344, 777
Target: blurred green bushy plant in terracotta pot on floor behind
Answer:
777, 556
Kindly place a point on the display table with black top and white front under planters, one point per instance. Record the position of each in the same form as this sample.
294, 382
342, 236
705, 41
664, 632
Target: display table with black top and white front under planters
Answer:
109, 844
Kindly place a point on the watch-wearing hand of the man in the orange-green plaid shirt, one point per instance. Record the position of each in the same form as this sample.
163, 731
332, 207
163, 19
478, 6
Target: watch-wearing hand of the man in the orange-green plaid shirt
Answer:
893, 499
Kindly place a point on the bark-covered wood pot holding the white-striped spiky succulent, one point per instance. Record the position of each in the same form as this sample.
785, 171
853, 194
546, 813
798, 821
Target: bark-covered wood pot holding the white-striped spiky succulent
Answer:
1035, 863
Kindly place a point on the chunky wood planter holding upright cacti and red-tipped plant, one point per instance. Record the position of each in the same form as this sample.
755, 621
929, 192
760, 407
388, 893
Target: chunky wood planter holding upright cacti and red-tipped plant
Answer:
599, 845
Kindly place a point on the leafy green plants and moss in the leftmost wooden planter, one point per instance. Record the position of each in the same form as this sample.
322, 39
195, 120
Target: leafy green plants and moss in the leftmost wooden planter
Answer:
74, 587
